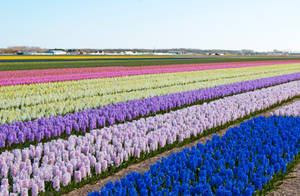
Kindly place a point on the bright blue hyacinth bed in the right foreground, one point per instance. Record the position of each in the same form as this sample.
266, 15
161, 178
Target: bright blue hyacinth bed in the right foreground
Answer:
241, 162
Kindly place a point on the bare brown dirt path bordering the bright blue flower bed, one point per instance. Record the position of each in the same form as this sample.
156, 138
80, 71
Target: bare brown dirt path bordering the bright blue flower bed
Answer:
145, 165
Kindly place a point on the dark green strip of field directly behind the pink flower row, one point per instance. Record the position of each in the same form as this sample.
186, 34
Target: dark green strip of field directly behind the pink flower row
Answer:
7, 66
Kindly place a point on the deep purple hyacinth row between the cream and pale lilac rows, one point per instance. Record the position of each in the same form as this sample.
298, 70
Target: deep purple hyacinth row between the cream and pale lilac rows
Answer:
81, 122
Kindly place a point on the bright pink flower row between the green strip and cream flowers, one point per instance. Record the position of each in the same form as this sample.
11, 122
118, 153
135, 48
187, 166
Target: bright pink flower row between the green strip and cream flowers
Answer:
57, 75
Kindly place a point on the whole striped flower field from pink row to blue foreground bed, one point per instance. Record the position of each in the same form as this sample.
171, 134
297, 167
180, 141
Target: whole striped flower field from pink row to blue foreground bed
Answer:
60, 130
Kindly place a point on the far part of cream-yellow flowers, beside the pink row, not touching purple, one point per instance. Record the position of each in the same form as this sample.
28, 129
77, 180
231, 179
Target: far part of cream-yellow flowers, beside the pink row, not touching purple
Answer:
24, 95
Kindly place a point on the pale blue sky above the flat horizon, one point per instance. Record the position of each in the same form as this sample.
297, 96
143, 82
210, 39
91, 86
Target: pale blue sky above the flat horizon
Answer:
260, 25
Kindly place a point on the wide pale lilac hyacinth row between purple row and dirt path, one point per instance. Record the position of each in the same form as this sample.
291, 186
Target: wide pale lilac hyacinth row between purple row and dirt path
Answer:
59, 163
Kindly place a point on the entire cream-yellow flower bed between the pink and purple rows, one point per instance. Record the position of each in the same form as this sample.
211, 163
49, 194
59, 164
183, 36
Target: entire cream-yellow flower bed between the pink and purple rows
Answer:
23, 103
